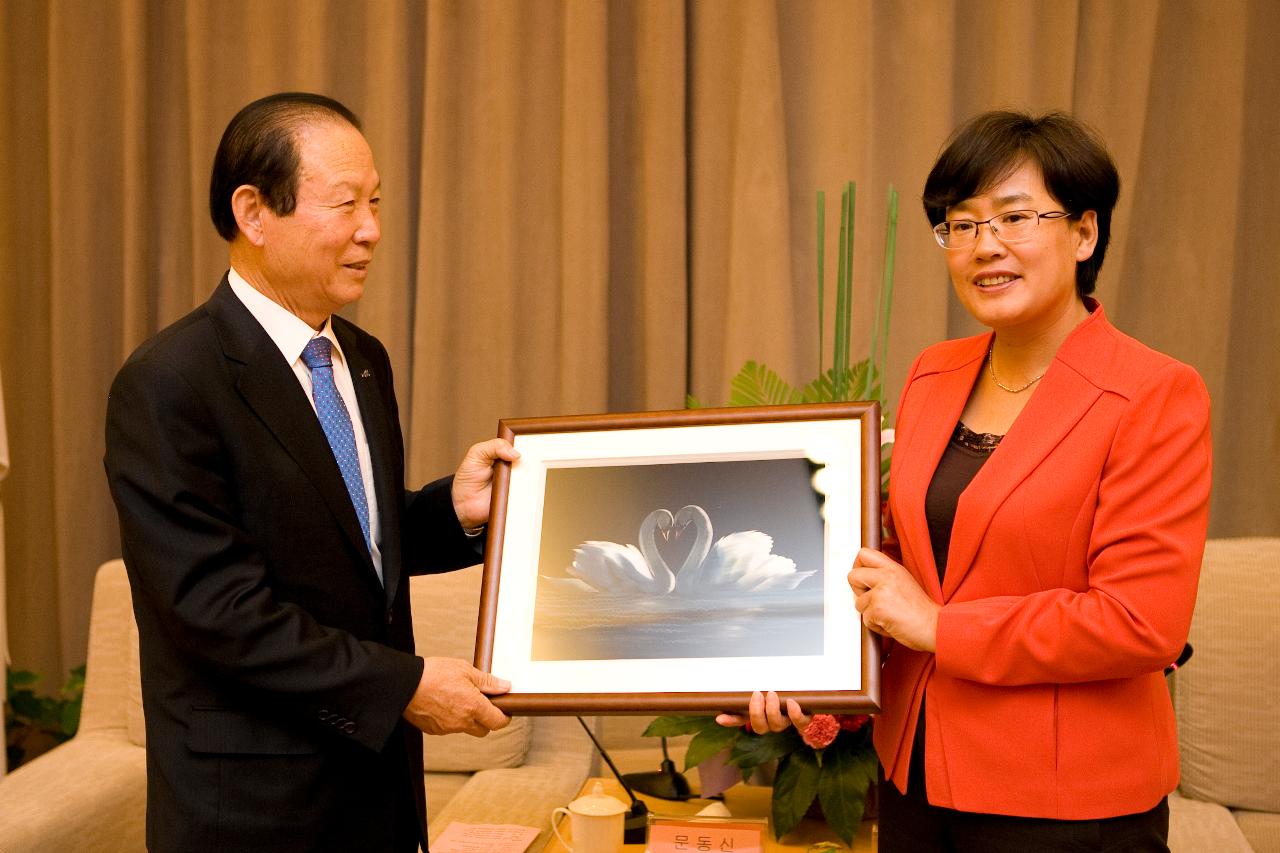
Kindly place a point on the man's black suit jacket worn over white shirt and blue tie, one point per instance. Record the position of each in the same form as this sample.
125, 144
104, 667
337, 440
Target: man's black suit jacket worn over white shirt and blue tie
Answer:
275, 664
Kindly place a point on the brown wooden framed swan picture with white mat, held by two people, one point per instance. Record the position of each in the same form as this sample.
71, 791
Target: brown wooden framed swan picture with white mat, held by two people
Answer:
673, 563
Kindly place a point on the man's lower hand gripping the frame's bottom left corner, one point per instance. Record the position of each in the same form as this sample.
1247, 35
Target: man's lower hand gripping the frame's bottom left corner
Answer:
454, 697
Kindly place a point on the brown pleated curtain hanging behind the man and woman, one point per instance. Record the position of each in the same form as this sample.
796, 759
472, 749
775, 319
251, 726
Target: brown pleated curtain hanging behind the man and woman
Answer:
605, 206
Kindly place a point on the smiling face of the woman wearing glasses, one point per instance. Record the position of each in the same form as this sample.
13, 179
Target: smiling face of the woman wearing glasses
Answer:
1026, 286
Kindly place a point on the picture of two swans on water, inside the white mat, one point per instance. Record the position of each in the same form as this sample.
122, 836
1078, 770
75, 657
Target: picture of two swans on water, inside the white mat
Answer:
680, 560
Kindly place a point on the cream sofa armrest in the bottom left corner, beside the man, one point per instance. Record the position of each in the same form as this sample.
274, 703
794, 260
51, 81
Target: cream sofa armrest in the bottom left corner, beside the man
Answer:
86, 795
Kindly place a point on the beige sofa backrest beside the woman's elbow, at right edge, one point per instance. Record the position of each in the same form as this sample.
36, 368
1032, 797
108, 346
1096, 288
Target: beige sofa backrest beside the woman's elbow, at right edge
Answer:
1226, 697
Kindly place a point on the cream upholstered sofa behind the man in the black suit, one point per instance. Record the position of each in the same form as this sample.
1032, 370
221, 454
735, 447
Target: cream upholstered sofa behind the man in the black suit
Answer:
90, 793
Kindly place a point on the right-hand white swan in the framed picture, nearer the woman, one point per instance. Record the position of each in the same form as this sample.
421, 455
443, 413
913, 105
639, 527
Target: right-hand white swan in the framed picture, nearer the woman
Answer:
742, 562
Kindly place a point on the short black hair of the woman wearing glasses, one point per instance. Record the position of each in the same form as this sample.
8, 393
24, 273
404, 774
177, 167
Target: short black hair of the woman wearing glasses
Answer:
1078, 171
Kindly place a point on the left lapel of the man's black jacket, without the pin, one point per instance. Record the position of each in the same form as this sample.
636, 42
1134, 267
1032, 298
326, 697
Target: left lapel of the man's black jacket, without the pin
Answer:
272, 391
